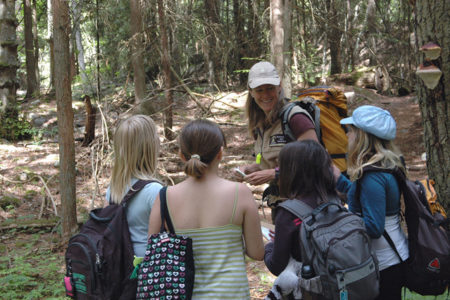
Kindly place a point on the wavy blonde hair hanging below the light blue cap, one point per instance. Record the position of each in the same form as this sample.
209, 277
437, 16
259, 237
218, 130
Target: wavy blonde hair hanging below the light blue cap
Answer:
368, 149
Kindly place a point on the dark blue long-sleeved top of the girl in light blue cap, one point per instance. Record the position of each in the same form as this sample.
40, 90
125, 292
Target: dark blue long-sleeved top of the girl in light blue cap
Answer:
380, 197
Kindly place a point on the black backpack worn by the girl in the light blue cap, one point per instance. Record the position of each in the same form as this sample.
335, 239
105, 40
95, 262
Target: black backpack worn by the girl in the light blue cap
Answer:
428, 265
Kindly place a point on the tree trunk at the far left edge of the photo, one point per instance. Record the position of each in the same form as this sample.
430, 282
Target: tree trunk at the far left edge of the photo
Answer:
8, 60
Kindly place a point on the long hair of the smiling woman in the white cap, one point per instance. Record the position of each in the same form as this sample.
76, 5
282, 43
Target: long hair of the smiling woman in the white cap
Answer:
256, 116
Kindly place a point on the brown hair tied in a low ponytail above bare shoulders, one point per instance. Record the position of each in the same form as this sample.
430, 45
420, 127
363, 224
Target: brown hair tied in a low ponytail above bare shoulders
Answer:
203, 138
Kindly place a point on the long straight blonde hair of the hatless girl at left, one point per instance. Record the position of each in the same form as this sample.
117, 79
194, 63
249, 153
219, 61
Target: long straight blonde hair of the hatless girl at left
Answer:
136, 149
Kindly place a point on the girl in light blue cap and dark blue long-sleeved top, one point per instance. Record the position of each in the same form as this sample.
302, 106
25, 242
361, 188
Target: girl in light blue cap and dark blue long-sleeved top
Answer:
377, 199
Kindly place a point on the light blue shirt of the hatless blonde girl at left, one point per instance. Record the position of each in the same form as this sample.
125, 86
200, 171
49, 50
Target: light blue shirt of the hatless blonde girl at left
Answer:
138, 214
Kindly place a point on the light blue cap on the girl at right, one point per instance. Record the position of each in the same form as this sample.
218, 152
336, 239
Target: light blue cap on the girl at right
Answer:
374, 120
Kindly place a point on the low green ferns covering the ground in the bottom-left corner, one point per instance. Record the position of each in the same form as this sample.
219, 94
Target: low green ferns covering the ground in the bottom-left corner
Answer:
31, 275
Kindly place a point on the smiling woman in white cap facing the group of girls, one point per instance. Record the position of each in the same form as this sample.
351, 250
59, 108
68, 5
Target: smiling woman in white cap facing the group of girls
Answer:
265, 101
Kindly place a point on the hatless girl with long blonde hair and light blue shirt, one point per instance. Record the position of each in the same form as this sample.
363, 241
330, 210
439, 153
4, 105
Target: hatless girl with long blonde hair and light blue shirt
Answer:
136, 149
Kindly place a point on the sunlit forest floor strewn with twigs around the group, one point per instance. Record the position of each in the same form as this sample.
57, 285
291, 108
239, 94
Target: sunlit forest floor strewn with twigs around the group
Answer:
30, 184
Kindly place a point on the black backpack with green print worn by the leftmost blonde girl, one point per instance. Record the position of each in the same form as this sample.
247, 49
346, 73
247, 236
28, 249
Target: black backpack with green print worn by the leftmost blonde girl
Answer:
99, 259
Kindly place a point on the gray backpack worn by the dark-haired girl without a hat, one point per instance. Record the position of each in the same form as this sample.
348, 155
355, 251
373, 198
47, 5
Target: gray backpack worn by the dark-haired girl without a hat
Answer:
337, 255
